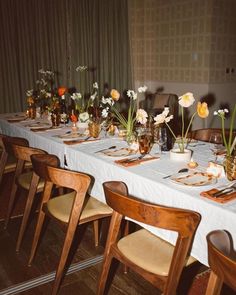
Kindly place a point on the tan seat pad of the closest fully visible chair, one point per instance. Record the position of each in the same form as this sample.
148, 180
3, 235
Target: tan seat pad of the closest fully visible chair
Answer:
157, 256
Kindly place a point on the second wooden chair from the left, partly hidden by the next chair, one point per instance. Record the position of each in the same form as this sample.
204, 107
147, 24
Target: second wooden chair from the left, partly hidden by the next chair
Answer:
28, 181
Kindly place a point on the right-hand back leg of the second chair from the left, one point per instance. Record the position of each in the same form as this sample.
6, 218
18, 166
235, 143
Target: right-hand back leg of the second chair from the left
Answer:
28, 206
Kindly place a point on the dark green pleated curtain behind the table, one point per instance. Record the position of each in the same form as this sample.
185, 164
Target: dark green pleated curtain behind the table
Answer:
60, 35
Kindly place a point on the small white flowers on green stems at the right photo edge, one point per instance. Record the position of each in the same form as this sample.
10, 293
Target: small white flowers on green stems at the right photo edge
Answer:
231, 142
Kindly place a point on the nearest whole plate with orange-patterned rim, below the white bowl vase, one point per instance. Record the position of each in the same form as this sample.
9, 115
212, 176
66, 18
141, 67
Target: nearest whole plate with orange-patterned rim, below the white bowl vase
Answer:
193, 179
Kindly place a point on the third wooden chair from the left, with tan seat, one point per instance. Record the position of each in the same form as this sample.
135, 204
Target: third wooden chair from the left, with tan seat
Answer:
69, 210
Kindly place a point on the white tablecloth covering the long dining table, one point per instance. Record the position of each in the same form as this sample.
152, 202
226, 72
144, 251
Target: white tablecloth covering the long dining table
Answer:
145, 181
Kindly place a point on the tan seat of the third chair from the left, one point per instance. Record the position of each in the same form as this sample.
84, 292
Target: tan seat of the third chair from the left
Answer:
60, 207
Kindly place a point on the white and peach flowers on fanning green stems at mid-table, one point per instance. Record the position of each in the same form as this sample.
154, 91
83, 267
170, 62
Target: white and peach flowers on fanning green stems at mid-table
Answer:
134, 114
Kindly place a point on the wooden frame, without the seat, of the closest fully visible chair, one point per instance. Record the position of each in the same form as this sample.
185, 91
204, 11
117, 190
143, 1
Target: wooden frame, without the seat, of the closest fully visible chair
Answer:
184, 222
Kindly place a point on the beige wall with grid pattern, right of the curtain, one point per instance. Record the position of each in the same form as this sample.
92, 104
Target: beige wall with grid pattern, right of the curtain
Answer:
186, 45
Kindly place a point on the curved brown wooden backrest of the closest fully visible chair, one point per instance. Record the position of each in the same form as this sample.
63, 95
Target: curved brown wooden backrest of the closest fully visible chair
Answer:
183, 221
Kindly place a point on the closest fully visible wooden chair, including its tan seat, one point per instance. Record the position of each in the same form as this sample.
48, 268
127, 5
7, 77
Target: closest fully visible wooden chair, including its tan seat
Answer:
153, 258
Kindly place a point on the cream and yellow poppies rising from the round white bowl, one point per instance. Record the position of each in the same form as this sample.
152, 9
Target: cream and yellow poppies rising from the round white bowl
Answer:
185, 101
